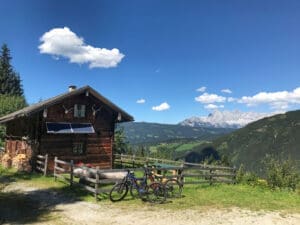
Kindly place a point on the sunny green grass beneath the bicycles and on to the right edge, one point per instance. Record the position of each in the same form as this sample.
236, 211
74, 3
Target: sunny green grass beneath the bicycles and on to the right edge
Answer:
225, 196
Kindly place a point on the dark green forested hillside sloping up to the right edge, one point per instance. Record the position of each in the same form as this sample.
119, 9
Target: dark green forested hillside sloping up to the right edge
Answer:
278, 135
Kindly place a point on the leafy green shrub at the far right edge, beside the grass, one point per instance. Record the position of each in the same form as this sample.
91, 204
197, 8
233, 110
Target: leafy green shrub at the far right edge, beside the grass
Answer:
281, 173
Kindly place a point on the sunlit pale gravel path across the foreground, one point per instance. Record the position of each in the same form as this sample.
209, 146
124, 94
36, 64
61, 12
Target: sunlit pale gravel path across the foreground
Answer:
64, 211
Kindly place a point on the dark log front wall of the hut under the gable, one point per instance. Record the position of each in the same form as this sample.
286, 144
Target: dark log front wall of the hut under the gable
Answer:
97, 146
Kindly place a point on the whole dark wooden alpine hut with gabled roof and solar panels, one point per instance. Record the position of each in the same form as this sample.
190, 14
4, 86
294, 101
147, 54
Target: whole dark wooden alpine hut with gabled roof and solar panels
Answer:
77, 125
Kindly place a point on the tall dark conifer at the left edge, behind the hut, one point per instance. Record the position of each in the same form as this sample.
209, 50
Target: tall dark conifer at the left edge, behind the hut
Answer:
10, 82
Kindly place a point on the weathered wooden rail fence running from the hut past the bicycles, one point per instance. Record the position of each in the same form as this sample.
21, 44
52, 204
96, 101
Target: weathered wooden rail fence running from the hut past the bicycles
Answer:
92, 180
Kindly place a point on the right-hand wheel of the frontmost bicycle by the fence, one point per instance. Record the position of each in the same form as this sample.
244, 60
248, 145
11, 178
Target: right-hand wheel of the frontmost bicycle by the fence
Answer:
156, 193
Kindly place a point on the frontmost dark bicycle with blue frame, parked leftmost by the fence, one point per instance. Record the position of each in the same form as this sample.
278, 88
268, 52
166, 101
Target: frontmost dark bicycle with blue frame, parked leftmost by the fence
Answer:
154, 192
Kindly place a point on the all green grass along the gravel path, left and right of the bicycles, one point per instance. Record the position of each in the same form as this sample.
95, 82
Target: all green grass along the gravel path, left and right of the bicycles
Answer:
194, 196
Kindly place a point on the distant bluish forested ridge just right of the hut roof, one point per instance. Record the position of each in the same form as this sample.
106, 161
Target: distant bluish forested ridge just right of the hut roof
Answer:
140, 132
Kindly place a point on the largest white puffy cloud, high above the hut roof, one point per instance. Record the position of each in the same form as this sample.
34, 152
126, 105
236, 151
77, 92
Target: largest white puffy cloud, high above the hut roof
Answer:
62, 42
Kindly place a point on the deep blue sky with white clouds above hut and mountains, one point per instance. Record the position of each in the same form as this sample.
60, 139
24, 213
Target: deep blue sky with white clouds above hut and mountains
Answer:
177, 56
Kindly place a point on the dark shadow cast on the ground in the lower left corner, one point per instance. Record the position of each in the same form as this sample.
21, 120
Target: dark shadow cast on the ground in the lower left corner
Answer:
28, 205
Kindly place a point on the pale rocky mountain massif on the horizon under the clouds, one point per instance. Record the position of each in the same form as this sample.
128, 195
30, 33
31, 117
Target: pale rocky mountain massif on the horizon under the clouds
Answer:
224, 119
